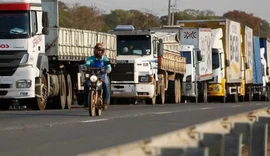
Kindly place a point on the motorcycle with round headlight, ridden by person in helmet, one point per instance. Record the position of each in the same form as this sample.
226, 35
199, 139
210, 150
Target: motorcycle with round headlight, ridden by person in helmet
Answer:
95, 76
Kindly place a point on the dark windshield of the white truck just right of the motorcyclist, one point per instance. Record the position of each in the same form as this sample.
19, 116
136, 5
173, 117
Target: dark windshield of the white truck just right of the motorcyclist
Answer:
134, 45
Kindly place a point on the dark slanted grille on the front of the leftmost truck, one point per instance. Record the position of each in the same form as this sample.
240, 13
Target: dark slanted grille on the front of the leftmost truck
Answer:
9, 62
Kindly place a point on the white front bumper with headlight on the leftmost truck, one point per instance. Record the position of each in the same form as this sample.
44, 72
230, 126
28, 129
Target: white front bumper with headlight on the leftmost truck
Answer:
9, 84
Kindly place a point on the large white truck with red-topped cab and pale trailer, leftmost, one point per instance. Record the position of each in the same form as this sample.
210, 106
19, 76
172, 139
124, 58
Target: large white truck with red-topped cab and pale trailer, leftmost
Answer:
40, 62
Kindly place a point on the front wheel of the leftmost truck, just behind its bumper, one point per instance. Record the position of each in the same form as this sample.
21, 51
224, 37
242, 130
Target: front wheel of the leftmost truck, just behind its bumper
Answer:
42, 102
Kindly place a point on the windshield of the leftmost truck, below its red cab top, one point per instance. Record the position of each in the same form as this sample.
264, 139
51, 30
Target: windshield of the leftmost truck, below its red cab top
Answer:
14, 24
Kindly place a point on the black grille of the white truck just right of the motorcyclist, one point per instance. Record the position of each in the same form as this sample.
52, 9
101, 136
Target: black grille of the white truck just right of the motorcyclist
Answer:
123, 72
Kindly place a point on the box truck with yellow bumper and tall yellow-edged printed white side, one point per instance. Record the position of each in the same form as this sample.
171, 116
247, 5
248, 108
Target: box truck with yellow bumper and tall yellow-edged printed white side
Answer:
228, 88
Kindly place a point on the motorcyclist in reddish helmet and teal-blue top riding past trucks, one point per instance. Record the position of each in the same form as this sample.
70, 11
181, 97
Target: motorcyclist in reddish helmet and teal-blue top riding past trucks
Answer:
98, 55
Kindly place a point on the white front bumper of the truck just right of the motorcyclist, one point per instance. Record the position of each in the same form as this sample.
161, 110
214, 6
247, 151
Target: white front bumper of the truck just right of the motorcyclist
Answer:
132, 90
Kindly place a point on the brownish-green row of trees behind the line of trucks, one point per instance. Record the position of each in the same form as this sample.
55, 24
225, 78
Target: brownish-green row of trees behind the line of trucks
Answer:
92, 18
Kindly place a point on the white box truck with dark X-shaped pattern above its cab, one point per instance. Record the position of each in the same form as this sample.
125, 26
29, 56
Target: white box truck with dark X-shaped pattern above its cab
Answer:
196, 47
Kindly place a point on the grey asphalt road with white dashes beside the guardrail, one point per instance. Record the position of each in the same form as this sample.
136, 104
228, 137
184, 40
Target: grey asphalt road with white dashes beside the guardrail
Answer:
71, 132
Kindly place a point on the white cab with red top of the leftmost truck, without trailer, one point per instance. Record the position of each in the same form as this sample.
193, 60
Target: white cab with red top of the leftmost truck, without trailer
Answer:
22, 29
